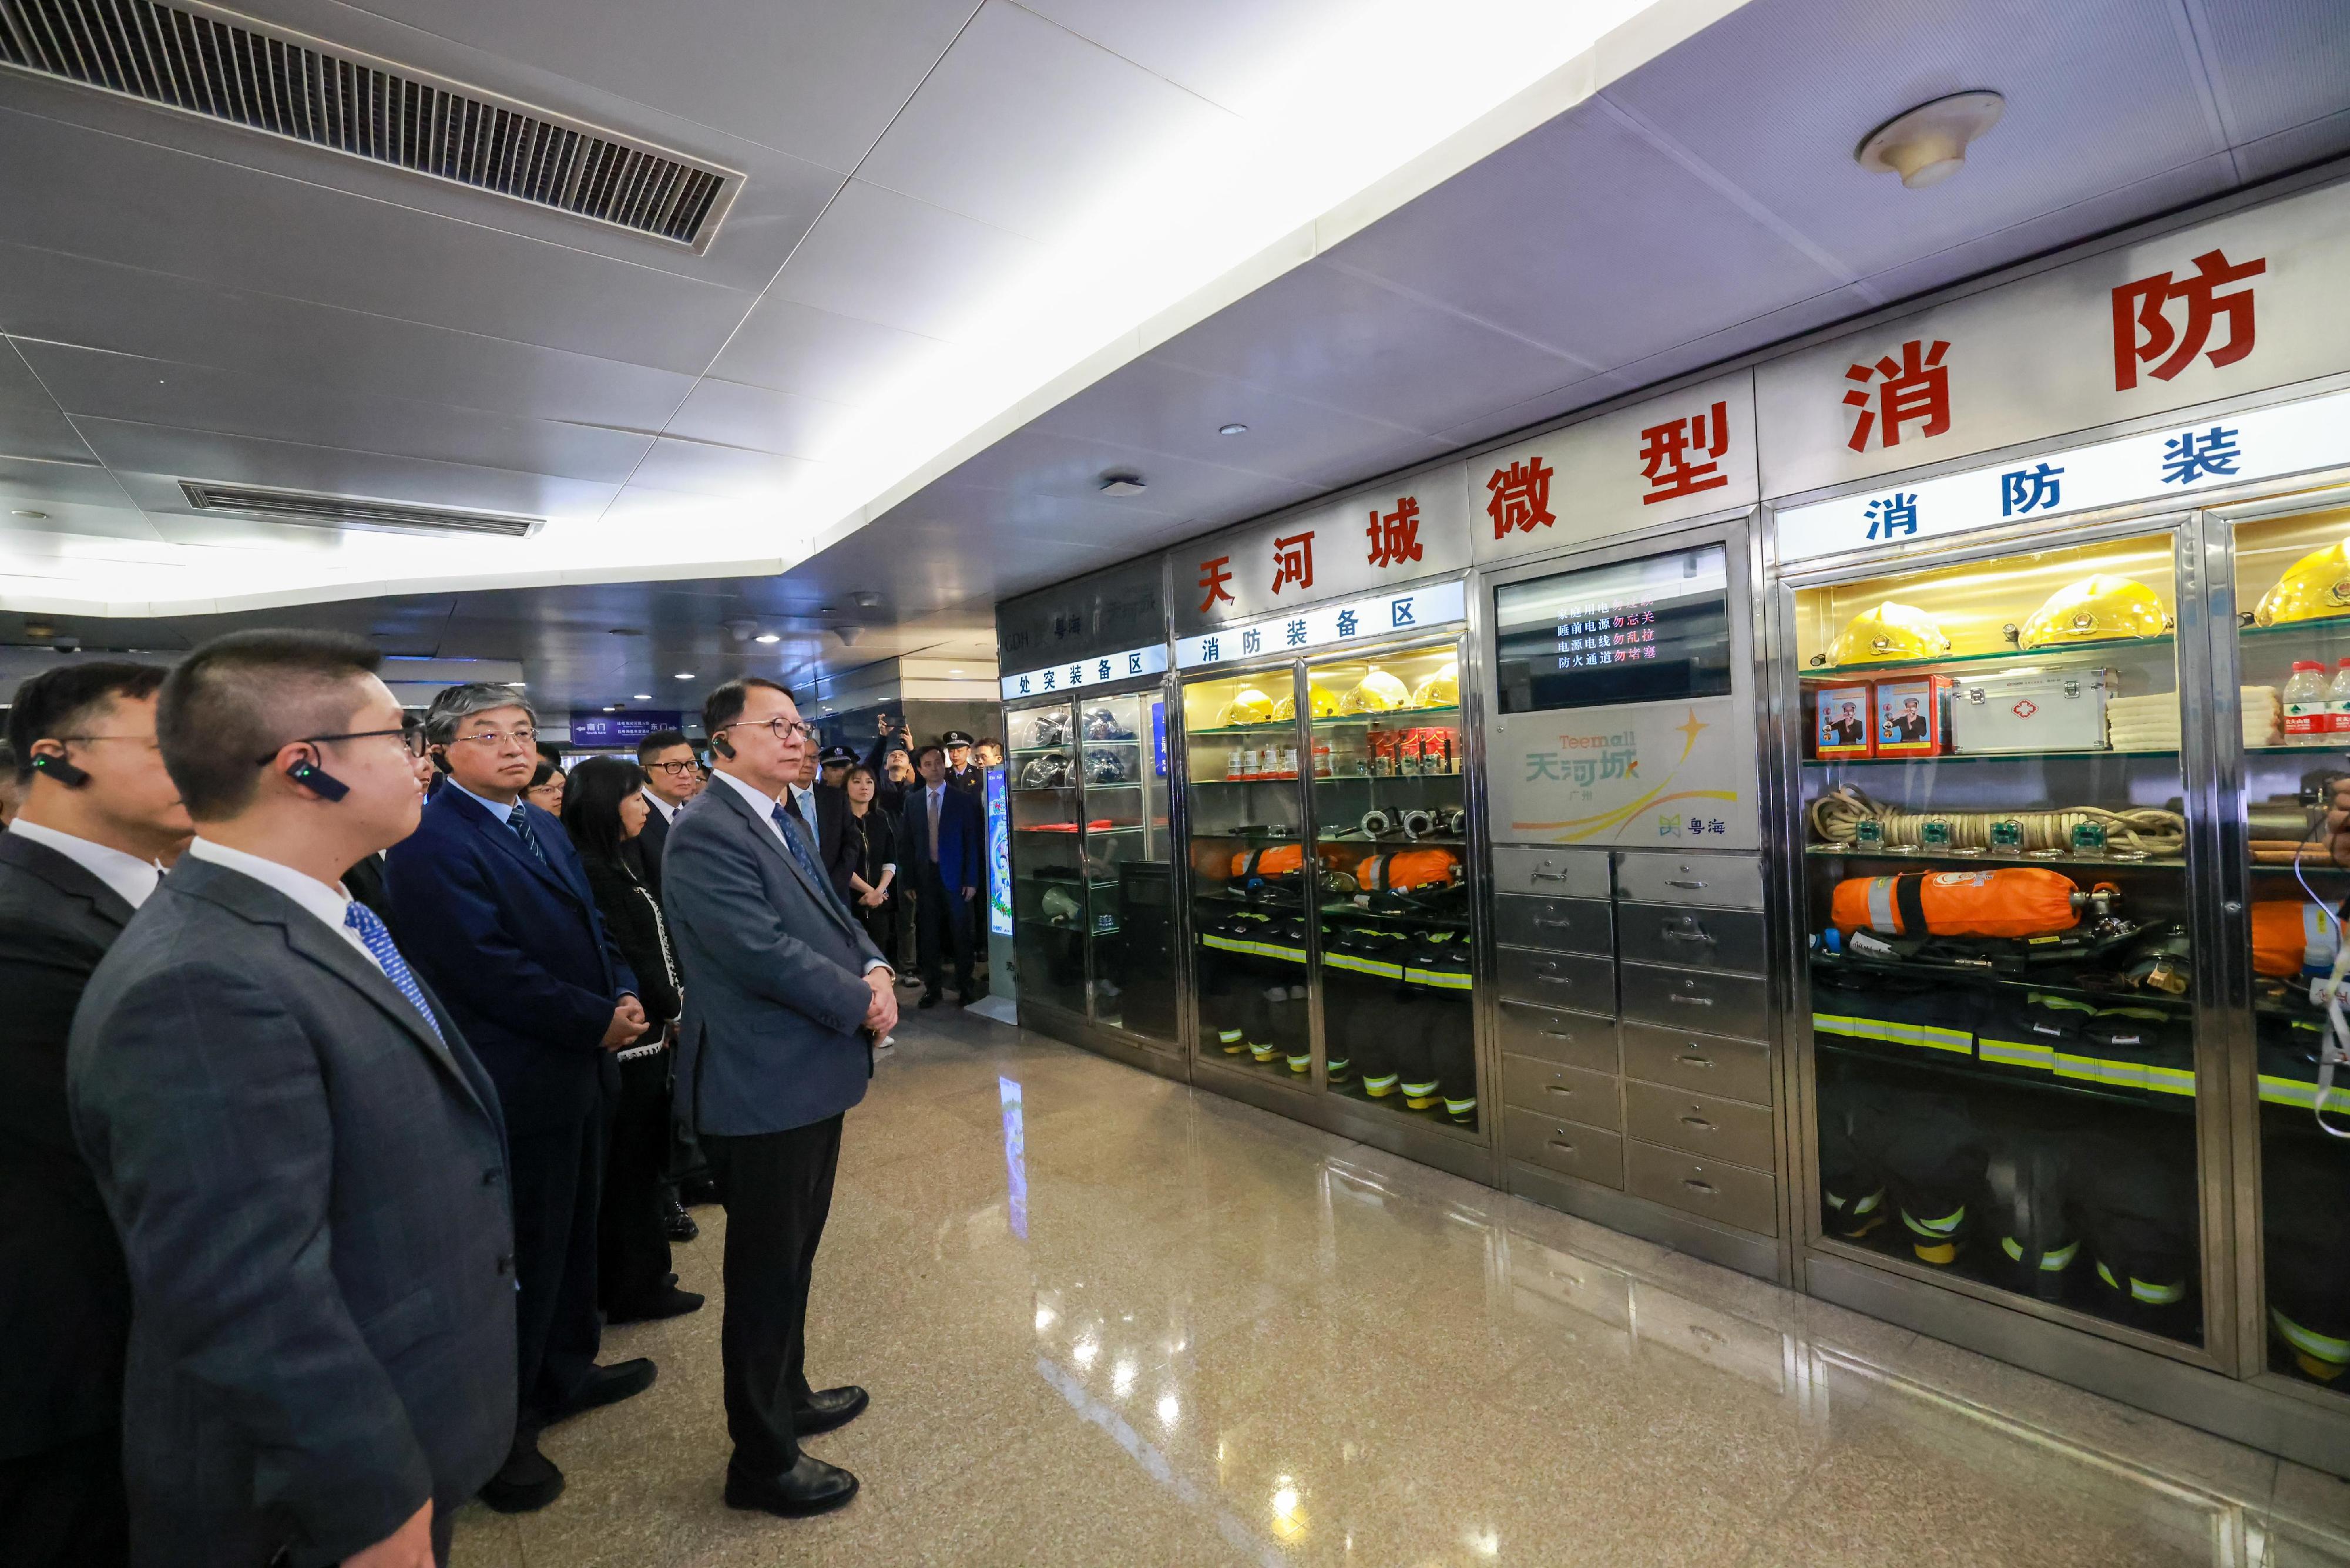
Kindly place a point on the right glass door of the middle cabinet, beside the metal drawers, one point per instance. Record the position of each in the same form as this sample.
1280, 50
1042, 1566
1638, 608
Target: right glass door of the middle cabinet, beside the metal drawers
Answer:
1392, 845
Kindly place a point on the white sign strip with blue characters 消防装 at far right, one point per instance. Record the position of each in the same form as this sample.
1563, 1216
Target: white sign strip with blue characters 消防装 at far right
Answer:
2196, 455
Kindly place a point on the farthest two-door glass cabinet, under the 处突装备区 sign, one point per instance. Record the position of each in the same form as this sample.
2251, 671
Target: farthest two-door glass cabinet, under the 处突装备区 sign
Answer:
1094, 883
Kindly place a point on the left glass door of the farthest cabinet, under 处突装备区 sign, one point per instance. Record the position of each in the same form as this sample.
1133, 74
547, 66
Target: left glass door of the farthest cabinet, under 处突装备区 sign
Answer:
1052, 883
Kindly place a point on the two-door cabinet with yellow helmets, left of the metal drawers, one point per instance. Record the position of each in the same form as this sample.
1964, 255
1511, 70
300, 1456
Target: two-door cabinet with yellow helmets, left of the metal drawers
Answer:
1331, 897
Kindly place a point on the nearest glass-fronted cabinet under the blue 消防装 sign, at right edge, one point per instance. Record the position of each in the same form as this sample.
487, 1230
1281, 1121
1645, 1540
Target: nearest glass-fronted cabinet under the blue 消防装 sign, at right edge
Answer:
2048, 1031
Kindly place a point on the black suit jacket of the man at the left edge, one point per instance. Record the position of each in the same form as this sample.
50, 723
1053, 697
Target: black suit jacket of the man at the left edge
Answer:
65, 1299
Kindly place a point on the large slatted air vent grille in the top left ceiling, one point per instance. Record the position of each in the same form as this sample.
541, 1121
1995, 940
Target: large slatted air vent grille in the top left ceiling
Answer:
241, 74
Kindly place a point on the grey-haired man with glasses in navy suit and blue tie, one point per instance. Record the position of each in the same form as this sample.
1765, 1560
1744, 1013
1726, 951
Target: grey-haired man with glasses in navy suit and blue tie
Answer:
492, 909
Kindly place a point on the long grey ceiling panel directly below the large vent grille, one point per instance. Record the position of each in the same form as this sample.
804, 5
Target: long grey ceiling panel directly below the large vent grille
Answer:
257, 232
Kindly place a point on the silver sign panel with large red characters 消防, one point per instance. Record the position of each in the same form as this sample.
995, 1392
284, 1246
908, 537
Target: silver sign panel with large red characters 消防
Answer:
2241, 304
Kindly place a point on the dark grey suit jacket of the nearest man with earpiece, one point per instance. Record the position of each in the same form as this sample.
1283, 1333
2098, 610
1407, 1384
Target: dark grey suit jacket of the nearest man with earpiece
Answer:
311, 1193
